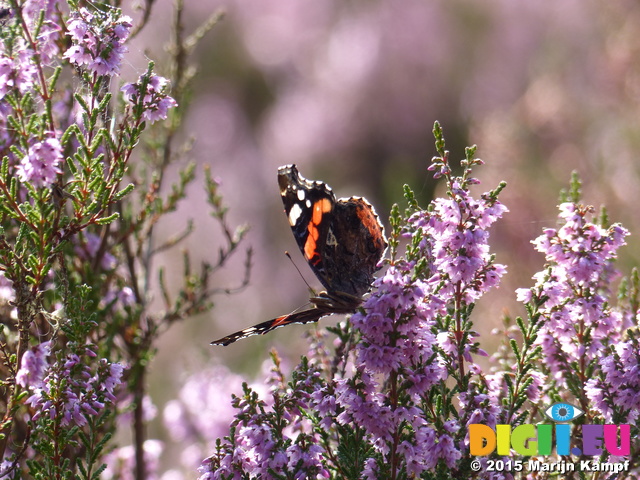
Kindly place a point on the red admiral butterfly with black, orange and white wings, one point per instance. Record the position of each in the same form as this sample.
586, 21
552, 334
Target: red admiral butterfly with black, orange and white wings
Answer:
342, 240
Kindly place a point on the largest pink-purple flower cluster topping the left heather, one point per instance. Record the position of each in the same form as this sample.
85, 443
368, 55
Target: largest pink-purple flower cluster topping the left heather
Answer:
98, 40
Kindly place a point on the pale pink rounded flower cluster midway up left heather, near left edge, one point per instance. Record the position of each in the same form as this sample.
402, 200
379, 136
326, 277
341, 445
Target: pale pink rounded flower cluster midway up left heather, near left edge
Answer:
40, 166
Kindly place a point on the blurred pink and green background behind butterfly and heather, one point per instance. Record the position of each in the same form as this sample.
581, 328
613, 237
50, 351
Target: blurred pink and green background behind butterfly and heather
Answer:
349, 91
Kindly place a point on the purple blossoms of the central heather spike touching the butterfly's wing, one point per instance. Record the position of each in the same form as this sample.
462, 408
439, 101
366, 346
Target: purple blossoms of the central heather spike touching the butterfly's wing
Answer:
397, 331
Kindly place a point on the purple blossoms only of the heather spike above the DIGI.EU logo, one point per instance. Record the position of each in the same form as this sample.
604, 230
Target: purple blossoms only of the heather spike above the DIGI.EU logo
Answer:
571, 295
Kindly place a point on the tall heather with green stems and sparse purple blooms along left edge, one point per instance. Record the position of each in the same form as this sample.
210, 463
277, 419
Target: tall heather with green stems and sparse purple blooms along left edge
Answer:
78, 242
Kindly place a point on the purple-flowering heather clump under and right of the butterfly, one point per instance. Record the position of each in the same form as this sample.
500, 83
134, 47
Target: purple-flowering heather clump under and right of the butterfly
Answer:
390, 393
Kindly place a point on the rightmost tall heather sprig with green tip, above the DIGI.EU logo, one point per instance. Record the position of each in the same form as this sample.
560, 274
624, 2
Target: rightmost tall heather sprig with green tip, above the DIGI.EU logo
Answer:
581, 347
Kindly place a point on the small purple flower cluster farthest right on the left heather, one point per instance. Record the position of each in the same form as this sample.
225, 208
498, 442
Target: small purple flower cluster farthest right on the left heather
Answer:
156, 102
